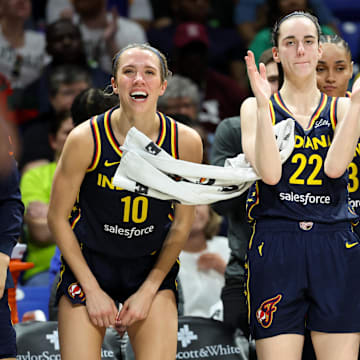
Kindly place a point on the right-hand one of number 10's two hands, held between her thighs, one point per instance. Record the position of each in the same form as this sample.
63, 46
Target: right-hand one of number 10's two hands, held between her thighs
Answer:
135, 308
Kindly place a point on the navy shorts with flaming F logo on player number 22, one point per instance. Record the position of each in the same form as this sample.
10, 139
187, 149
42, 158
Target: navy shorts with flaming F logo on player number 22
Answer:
303, 275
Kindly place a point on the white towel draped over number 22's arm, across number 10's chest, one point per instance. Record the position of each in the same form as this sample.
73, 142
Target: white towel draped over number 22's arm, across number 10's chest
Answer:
147, 169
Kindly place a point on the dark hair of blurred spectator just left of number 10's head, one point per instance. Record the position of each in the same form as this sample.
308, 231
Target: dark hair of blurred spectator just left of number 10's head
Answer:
66, 75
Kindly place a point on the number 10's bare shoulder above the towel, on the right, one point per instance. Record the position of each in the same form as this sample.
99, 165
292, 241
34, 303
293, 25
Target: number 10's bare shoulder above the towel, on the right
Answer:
189, 144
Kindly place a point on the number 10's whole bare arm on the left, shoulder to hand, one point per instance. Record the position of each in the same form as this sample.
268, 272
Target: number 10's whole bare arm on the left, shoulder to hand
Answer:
72, 166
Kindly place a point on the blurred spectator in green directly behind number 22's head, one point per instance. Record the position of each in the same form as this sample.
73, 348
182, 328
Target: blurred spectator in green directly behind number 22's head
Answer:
275, 10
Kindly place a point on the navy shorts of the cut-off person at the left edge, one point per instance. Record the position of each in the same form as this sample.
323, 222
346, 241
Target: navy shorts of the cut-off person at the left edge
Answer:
7, 332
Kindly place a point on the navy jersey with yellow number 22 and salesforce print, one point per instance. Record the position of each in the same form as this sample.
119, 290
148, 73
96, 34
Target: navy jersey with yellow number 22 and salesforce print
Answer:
304, 192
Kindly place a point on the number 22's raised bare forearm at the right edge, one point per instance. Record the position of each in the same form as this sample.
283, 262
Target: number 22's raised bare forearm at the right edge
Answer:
346, 136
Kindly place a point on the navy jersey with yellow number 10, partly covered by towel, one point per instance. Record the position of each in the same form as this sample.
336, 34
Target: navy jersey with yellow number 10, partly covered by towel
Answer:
114, 221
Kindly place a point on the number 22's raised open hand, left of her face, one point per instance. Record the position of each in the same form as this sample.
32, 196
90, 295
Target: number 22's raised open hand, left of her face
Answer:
258, 80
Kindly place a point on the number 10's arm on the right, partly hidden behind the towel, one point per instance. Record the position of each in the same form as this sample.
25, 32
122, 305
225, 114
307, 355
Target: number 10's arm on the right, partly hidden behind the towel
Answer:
137, 306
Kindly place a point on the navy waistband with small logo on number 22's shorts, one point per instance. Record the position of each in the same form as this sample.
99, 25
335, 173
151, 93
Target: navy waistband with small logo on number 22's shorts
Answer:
292, 225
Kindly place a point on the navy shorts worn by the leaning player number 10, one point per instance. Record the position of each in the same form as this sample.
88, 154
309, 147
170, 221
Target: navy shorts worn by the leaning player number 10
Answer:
118, 277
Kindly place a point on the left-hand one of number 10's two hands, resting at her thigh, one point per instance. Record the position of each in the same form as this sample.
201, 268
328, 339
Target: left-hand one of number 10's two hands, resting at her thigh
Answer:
101, 308
